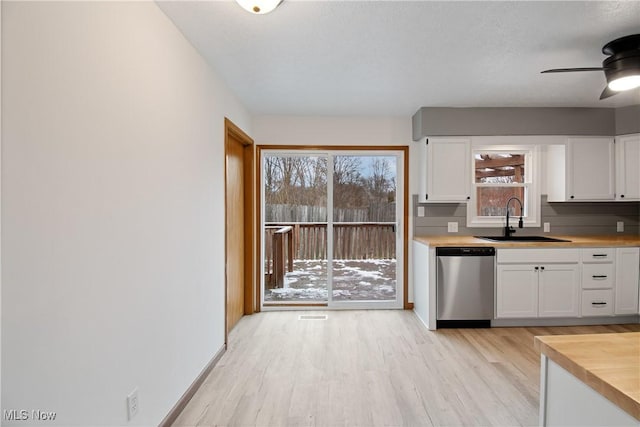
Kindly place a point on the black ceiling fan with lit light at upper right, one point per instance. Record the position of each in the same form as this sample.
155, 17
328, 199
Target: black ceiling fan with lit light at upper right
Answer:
621, 68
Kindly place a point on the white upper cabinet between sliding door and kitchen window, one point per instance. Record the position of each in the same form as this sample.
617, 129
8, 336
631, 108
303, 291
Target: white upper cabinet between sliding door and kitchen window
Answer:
445, 173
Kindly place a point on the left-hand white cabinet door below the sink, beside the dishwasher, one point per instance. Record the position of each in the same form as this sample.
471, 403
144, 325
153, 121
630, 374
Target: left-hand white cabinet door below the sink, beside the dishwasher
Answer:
516, 291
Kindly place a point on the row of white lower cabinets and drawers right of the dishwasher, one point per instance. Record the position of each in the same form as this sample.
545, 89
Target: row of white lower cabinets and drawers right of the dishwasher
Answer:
561, 283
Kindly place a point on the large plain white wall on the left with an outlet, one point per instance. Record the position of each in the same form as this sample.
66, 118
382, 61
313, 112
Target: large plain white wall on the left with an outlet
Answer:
112, 210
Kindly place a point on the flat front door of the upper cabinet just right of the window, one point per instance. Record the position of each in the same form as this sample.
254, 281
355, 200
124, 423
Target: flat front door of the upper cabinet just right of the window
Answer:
590, 169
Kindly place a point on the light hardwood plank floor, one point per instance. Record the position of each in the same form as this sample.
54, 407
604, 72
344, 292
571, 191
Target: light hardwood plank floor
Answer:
369, 368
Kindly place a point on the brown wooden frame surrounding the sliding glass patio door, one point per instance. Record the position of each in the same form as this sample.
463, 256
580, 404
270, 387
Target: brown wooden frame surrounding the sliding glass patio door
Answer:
405, 206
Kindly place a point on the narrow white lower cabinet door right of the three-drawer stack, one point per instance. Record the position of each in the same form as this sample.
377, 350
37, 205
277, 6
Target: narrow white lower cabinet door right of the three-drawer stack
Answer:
627, 277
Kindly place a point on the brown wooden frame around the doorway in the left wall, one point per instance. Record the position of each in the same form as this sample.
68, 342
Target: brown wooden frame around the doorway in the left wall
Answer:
231, 130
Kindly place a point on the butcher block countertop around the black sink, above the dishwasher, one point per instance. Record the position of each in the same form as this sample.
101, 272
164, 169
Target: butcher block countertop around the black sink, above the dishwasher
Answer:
575, 241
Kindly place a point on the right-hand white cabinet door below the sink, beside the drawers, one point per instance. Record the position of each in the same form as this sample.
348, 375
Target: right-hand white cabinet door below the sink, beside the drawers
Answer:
559, 290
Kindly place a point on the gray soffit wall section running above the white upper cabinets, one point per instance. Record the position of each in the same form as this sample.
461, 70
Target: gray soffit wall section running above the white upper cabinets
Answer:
440, 121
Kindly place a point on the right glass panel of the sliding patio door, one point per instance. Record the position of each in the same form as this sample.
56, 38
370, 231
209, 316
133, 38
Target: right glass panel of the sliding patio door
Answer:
364, 196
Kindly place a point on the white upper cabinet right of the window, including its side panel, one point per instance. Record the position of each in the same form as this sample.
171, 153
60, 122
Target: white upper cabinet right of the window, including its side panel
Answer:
581, 170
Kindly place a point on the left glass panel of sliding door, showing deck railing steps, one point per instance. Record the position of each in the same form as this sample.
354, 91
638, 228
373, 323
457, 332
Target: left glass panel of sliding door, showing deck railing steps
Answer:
295, 228
